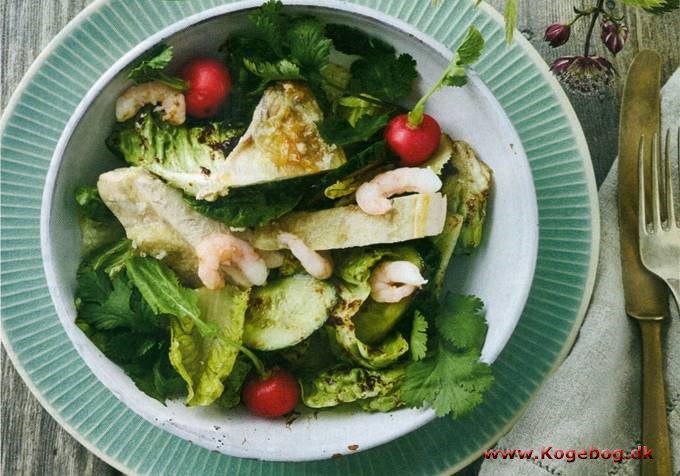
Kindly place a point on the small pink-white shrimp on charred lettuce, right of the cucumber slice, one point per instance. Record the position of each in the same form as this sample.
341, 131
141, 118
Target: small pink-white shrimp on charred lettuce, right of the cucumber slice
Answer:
392, 281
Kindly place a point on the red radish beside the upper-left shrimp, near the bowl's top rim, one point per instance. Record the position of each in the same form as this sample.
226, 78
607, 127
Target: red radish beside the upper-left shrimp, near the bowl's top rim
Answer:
209, 85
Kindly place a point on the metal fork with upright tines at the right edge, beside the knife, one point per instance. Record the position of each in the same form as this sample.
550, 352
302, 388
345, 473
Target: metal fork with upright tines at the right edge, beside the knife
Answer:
660, 242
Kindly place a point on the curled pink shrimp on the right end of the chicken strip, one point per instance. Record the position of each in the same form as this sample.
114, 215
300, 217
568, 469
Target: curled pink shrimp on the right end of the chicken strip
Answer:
373, 197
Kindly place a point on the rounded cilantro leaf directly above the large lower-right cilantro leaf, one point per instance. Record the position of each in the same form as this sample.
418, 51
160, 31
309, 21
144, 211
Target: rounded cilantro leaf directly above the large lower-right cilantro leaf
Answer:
461, 322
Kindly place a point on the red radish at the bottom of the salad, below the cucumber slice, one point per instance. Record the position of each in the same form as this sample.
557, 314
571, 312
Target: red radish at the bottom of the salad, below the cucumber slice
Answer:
273, 396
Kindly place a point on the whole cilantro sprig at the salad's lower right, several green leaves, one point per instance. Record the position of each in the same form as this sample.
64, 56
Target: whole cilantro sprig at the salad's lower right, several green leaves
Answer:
446, 372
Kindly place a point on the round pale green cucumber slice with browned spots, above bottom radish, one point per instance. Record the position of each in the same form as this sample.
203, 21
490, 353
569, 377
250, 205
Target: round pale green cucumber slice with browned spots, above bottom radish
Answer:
285, 312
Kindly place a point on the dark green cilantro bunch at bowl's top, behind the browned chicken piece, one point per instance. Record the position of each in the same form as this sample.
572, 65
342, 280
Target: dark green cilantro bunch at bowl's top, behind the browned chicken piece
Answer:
282, 47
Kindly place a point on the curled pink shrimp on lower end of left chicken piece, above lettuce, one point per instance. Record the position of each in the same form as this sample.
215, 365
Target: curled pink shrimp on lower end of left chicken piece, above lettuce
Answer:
222, 253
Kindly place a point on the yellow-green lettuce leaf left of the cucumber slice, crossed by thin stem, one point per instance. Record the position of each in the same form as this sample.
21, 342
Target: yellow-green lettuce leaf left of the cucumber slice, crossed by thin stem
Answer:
205, 361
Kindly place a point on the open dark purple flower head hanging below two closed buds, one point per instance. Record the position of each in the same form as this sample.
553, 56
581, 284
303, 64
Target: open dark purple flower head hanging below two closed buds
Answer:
584, 74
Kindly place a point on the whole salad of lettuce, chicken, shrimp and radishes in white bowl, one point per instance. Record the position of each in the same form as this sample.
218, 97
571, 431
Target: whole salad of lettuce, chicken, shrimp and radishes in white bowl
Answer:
280, 226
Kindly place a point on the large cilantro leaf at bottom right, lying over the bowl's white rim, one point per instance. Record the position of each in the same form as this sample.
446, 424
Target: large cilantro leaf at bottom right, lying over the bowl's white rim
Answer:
452, 383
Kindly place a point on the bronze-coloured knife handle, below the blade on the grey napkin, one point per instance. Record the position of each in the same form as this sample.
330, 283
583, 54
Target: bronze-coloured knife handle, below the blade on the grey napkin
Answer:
654, 420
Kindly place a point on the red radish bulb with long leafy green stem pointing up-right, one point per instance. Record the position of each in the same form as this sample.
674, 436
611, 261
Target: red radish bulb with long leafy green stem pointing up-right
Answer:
413, 144
